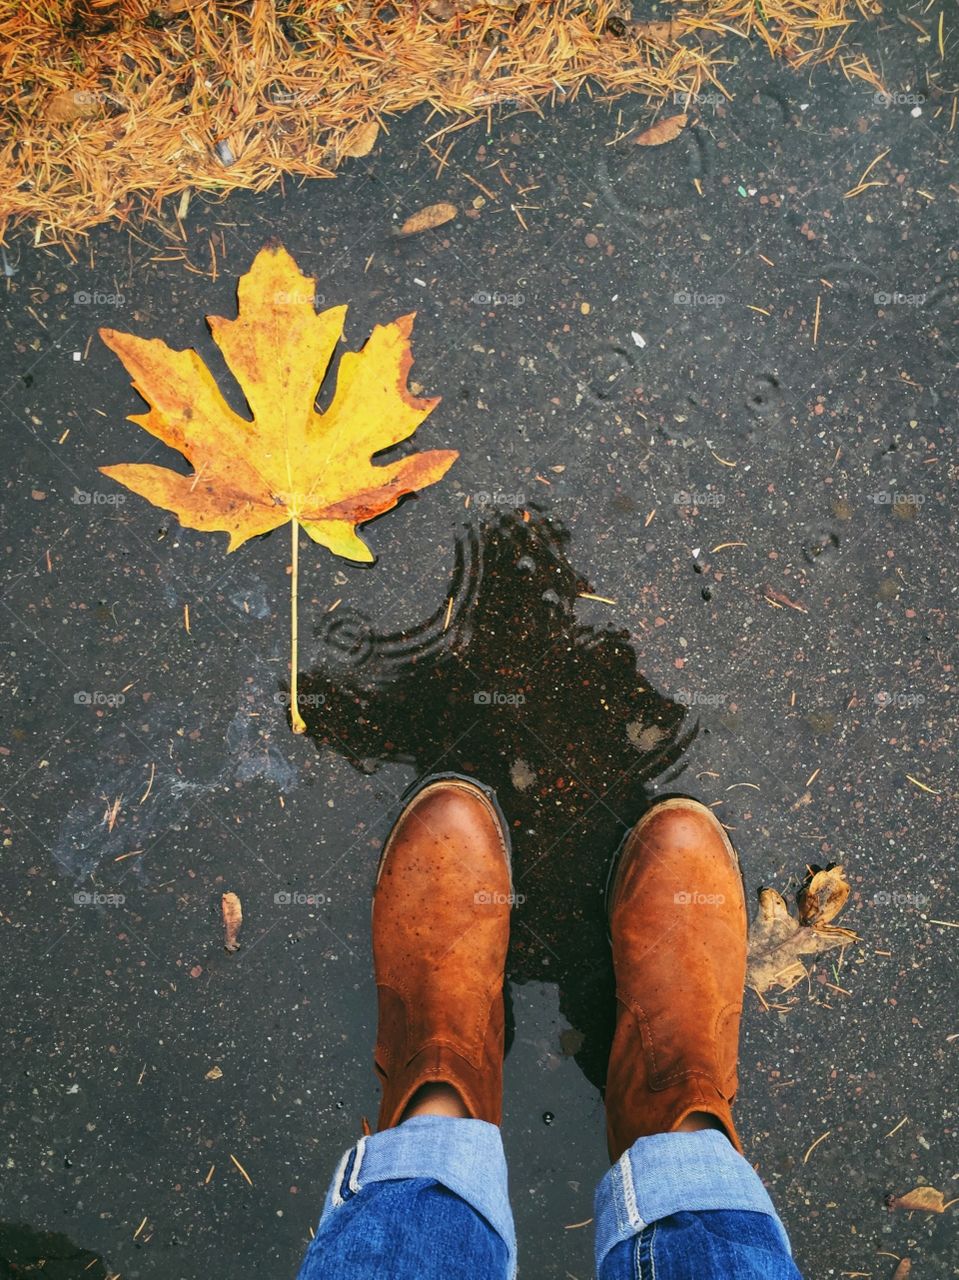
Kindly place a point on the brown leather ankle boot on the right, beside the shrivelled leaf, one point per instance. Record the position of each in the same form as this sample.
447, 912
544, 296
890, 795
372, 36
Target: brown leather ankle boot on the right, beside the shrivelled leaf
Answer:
679, 931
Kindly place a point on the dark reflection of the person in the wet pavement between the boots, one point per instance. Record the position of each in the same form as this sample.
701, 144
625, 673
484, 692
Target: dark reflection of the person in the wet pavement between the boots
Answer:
552, 712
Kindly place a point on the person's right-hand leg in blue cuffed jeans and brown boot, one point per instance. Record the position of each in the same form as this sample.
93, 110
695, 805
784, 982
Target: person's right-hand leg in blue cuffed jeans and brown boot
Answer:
681, 1201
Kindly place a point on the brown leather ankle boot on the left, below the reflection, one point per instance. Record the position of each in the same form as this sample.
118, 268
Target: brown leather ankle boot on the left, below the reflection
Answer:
441, 925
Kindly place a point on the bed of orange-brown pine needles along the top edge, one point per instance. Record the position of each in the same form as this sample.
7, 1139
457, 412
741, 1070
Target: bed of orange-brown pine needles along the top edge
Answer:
108, 108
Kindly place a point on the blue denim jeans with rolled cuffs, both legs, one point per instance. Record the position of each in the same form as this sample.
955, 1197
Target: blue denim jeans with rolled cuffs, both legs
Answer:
428, 1201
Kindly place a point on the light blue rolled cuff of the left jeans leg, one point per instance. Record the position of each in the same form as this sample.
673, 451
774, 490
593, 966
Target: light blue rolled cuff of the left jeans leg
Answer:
465, 1156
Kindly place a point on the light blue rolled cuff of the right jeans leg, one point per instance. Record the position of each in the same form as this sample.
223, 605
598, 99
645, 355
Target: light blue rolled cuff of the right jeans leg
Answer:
675, 1173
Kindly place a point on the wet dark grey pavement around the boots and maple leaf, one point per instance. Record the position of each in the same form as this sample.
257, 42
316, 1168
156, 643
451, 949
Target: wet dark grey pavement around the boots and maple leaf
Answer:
697, 541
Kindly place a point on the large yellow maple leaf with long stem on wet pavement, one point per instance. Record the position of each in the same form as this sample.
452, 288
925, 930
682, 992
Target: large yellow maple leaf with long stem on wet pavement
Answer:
289, 463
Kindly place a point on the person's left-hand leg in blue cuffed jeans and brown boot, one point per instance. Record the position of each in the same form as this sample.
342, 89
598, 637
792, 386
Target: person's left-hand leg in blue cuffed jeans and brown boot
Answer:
426, 1199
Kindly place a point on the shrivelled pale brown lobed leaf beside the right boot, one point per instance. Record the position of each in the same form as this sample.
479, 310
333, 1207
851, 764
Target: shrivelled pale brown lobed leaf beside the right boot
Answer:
778, 940
